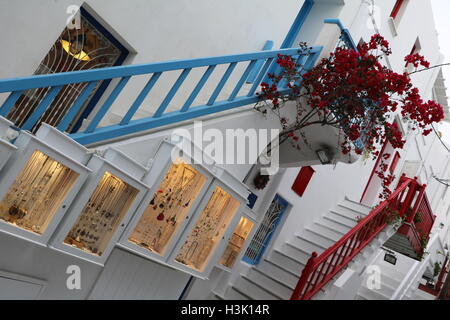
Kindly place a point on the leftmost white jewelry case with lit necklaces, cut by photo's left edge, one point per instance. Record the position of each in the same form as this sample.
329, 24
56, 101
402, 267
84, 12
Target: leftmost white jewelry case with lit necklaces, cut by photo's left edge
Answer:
39, 183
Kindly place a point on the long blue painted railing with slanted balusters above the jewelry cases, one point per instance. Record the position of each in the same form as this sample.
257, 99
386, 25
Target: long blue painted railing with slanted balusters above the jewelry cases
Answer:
95, 134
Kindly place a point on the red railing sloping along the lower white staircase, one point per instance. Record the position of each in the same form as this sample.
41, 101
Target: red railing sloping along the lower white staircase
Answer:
320, 269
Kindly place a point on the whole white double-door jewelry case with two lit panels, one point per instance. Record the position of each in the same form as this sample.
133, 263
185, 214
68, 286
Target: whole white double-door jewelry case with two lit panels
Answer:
191, 205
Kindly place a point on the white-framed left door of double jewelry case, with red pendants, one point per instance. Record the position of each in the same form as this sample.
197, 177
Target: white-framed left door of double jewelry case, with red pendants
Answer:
166, 209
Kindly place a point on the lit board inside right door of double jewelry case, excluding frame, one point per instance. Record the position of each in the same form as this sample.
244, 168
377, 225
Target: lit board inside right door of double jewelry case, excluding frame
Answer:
208, 231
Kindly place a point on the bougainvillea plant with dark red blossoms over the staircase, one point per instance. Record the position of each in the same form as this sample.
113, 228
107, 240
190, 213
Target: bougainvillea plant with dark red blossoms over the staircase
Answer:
353, 91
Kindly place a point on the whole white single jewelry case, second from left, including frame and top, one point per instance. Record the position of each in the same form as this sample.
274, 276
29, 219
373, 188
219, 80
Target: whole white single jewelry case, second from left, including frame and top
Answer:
103, 208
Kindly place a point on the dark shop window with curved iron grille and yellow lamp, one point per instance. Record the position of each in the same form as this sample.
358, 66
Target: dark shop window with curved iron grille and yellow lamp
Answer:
86, 46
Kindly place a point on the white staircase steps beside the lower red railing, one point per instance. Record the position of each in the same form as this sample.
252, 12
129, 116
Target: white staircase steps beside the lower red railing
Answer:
276, 276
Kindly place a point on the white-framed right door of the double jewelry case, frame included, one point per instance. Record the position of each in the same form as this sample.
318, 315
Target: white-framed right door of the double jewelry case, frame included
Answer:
203, 242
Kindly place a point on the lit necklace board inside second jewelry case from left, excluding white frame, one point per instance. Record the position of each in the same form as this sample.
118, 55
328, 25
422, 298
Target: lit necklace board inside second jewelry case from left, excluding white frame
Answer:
101, 215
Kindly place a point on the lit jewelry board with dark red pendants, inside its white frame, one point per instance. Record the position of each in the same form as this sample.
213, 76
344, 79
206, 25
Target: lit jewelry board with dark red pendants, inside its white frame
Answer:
168, 207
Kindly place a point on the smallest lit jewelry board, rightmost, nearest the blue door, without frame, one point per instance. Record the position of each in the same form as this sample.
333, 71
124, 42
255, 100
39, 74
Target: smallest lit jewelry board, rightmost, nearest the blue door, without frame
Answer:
236, 242
